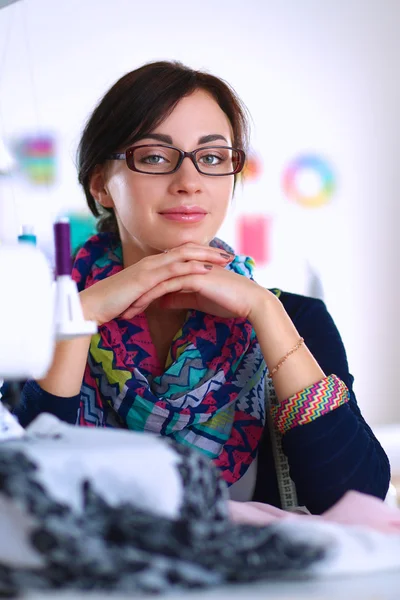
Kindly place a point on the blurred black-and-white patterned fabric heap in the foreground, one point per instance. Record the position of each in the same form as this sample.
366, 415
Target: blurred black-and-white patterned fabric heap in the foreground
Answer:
119, 545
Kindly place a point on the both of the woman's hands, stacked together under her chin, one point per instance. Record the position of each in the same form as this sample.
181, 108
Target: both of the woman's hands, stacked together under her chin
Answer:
190, 276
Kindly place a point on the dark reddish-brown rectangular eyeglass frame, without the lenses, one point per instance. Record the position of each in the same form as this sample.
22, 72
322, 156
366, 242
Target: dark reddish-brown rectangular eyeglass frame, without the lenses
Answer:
128, 156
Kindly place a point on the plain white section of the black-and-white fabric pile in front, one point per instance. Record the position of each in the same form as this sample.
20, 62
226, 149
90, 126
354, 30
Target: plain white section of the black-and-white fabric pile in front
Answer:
118, 466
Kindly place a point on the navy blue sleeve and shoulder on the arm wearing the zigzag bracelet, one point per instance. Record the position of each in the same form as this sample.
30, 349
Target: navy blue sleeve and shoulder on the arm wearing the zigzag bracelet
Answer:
337, 451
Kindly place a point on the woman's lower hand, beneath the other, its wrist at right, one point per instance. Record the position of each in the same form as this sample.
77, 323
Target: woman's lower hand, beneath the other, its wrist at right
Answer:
221, 293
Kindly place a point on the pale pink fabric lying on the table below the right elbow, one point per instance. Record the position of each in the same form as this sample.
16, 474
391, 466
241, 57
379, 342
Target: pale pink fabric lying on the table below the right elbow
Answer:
353, 509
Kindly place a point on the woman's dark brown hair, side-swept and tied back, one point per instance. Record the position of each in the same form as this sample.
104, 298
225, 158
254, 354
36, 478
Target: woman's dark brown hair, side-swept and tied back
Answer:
135, 105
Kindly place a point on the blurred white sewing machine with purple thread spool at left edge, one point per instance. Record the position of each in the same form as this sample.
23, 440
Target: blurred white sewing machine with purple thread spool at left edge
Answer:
36, 310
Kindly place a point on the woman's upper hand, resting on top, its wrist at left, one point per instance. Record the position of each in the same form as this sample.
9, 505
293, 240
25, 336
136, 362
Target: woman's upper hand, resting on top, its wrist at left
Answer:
116, 296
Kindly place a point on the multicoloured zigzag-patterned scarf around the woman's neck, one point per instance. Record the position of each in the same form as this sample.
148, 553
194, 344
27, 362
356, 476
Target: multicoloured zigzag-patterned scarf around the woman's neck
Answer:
210, 395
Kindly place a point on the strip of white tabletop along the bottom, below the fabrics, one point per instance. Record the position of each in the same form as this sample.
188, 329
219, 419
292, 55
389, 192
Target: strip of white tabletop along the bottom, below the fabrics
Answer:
382, 586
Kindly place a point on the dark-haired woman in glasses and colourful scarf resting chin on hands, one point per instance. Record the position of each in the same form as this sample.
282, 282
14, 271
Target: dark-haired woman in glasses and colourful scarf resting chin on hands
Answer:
188, 342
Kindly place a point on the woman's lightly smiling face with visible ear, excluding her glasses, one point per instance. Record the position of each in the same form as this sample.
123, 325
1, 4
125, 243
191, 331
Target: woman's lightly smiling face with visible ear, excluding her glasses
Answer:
143, 202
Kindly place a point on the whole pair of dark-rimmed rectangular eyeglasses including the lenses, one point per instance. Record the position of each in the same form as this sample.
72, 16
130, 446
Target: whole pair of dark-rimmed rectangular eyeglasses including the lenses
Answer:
157, 159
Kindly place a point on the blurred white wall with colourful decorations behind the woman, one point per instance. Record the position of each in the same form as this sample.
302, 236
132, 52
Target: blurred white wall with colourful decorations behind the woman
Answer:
318, 206
